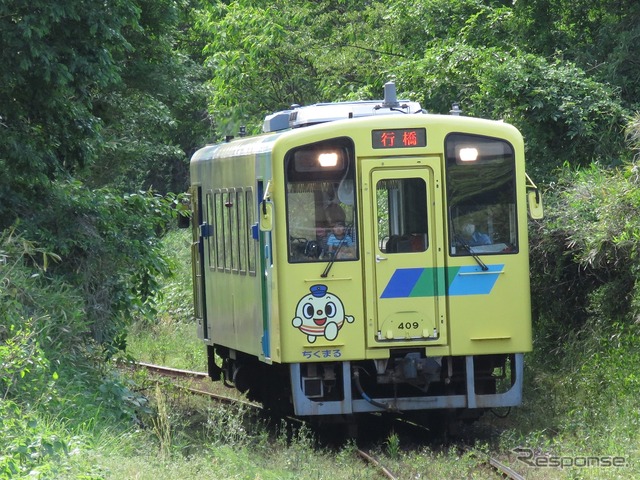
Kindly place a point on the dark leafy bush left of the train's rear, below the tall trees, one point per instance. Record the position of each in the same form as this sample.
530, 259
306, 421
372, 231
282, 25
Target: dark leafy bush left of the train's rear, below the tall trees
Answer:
108, 246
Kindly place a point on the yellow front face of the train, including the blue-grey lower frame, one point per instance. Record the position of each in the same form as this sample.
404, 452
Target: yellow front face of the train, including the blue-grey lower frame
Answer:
407, 263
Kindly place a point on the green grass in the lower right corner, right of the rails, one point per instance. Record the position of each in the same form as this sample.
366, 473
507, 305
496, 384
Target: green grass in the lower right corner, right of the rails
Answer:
581, 405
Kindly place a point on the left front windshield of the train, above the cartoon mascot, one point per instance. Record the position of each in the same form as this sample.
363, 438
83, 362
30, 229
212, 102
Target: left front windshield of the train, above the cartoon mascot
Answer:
321, 211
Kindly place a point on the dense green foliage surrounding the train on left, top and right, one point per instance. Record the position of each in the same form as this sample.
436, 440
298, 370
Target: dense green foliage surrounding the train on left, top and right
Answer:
101, 105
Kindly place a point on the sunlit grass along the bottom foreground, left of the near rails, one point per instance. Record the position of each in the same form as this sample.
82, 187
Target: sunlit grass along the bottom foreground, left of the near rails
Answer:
189, 437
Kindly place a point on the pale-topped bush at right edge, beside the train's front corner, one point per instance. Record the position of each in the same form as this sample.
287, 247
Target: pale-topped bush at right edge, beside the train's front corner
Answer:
584, 255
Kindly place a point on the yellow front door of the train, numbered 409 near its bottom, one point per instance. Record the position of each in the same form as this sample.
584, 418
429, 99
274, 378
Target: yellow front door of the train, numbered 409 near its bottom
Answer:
405, 257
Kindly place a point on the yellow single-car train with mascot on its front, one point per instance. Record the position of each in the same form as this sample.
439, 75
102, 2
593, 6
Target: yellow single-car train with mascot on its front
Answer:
365, 256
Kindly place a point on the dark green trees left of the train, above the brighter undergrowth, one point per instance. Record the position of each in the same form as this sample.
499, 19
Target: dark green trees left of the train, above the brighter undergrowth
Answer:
100, 93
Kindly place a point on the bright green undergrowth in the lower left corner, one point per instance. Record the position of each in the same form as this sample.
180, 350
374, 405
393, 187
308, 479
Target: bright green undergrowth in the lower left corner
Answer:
54, 381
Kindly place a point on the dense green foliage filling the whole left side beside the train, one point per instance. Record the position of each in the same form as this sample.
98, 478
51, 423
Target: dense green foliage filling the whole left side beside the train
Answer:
100, 106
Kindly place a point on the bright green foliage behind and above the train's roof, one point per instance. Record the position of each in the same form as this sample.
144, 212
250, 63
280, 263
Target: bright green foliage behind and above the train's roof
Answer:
274, 54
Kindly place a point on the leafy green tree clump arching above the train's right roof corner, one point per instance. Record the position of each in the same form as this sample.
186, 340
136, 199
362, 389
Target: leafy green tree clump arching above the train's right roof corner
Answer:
565, 117
